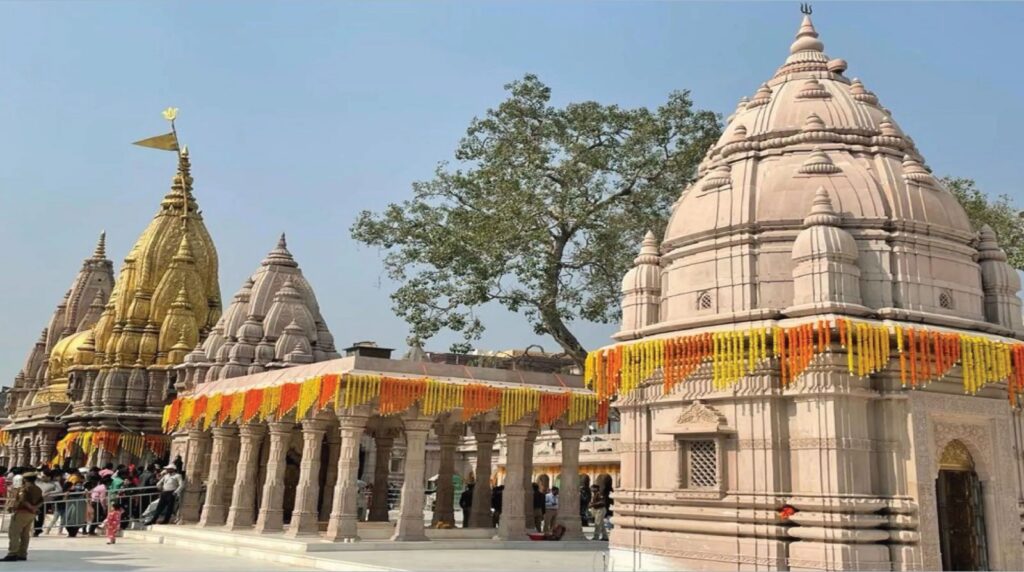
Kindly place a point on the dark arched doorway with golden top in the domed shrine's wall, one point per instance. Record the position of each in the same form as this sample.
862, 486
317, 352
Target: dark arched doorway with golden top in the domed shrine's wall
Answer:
961, 508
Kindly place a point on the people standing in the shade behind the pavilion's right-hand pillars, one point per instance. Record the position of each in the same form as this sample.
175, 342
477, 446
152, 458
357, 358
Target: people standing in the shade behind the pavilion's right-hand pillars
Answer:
595, 508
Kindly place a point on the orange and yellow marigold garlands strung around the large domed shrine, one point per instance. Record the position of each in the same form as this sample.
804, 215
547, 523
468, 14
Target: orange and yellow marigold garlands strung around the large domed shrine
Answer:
924, 357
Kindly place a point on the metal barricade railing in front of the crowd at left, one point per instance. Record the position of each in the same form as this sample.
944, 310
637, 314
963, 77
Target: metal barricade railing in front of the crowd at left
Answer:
86, 512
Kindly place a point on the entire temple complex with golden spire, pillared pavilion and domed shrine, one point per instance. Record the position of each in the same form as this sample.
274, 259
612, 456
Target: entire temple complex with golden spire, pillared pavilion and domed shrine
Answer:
820, 367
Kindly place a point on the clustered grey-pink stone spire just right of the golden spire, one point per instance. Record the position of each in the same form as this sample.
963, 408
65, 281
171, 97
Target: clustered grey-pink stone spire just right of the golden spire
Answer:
274, 322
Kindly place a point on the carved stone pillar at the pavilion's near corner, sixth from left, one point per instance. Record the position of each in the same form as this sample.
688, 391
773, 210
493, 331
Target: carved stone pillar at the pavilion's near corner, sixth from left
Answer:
345, 511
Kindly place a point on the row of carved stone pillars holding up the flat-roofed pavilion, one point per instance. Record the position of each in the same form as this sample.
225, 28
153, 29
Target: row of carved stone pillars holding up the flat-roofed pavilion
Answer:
233, 477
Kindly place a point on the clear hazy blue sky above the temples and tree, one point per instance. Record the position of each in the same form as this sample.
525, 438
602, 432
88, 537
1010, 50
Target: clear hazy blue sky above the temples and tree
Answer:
301, 114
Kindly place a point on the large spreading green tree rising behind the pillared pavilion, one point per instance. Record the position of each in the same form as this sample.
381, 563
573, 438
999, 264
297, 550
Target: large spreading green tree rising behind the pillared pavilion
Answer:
542, 212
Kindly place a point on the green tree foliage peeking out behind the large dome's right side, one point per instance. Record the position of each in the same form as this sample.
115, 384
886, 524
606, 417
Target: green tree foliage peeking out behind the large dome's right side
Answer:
1000, 213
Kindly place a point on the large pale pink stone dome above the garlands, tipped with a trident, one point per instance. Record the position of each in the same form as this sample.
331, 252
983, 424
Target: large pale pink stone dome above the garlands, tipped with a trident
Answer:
887, 239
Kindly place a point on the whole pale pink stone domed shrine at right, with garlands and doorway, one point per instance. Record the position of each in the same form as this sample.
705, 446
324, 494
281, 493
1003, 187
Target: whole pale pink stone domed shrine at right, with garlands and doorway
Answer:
814, 363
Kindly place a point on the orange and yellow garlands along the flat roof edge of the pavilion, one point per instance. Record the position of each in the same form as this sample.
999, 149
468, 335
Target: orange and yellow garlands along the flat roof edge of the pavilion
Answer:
394, 395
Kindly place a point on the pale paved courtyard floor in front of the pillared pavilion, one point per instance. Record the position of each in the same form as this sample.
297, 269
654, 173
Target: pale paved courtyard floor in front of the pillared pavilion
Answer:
93, 554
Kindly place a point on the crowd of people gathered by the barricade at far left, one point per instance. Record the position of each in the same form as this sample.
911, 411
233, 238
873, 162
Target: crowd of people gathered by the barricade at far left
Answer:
86, 501
